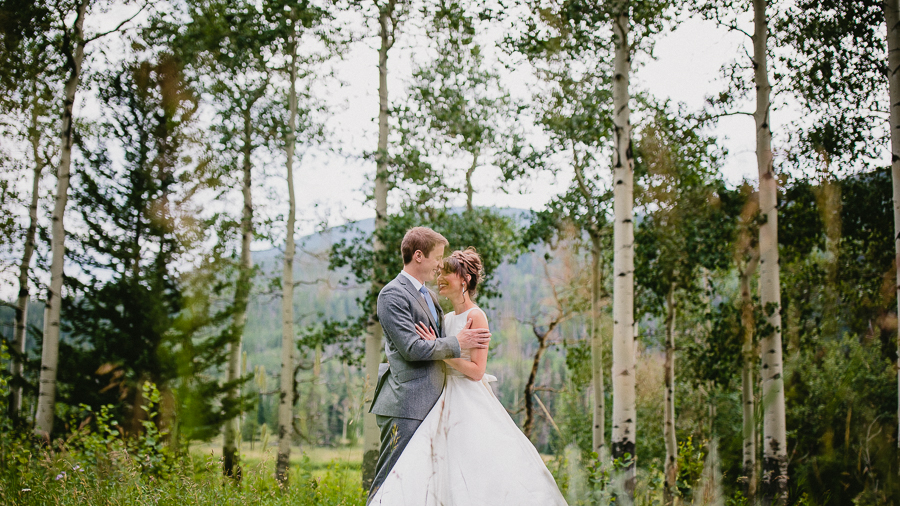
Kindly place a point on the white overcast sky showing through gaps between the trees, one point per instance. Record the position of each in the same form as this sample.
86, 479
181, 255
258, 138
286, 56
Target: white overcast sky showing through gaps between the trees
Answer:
330, 188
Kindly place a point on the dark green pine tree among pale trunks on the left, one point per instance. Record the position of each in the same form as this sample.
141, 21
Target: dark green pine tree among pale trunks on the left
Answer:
128, 319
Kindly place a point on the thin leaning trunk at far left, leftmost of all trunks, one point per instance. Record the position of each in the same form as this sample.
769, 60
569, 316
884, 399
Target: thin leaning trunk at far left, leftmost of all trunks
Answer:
20, 333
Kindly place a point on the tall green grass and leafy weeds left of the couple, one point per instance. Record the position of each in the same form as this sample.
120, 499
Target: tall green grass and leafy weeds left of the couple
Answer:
94, 464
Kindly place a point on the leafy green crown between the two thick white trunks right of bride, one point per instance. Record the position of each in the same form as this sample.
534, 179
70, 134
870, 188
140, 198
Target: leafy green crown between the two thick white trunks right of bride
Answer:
684, 227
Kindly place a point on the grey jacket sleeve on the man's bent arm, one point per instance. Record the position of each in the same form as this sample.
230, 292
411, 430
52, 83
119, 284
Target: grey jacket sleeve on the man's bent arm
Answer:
399, 326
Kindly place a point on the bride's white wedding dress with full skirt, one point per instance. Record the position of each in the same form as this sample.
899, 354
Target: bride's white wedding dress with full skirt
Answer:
468, 452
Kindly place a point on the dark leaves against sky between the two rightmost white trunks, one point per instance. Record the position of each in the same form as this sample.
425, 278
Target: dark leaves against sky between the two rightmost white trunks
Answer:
834, 56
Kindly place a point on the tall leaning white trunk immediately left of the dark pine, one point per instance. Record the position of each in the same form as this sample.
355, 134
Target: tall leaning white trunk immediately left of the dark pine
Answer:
43, 422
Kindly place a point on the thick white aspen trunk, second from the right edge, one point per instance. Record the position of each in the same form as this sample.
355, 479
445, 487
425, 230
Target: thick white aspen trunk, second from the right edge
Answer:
774, 430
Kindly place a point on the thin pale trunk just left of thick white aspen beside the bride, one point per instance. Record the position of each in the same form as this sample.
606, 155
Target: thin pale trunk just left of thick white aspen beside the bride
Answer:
599, 398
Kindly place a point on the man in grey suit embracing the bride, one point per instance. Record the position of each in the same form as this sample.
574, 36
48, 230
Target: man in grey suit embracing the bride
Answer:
414, 377
